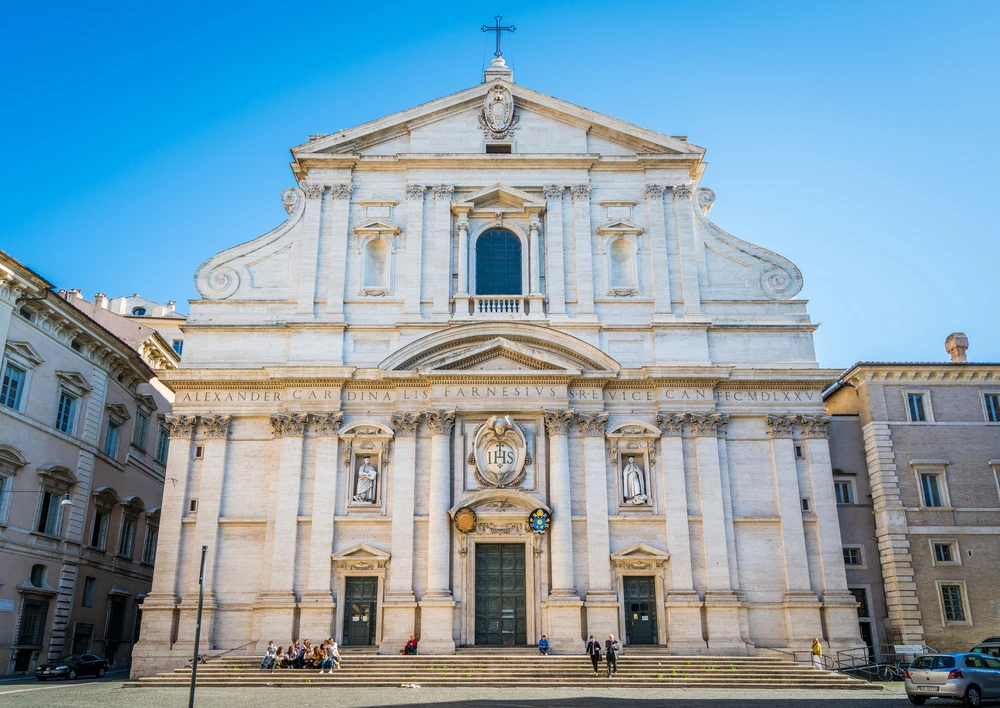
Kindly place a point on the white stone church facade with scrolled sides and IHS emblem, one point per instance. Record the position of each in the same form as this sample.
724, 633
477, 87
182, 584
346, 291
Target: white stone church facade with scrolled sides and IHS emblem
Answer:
497, 376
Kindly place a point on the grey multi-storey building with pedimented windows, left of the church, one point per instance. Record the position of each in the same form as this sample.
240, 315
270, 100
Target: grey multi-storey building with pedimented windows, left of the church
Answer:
82, 454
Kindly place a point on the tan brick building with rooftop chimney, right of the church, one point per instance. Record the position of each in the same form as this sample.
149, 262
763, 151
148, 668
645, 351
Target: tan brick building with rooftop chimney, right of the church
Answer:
915, 449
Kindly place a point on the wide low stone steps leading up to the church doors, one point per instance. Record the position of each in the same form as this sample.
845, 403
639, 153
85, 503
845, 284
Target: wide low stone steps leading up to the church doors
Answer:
637, 669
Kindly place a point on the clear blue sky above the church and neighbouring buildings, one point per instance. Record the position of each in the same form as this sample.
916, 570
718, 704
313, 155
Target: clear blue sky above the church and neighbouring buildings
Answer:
857, 139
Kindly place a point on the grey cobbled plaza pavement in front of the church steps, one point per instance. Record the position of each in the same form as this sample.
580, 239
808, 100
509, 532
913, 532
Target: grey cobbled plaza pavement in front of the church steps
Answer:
110, 694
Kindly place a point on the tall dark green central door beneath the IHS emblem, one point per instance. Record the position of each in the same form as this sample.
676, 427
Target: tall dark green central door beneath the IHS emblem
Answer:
500, 594
